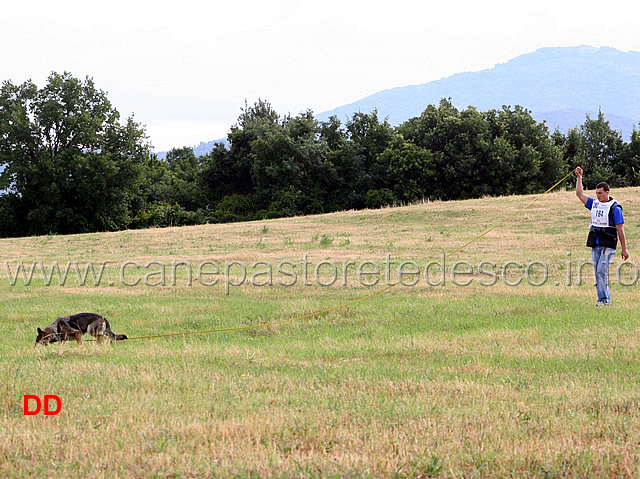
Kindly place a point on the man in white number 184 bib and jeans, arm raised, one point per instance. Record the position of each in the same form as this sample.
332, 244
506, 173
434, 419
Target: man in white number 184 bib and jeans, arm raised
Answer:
607, 225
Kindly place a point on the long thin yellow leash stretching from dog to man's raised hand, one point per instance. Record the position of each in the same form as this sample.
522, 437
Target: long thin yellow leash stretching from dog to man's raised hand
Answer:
363, 298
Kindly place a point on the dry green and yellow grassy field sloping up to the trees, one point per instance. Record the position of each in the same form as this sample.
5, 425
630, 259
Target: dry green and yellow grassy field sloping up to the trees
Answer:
515, 374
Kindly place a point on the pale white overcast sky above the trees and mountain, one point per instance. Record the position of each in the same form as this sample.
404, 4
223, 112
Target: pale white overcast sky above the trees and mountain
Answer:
184, 68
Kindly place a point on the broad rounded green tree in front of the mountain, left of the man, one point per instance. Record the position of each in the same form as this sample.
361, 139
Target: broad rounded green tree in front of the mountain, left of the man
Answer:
498, 152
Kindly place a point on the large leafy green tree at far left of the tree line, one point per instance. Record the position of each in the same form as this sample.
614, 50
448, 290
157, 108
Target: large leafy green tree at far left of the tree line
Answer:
70, 165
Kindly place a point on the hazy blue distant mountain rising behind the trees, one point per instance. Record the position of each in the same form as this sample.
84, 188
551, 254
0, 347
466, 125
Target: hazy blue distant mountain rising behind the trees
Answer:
558, 84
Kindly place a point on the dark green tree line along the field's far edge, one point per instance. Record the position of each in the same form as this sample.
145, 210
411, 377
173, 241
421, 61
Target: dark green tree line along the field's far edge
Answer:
70, 164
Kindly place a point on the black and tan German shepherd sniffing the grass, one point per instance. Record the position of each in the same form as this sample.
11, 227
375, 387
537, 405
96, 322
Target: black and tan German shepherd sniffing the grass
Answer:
66, 328
